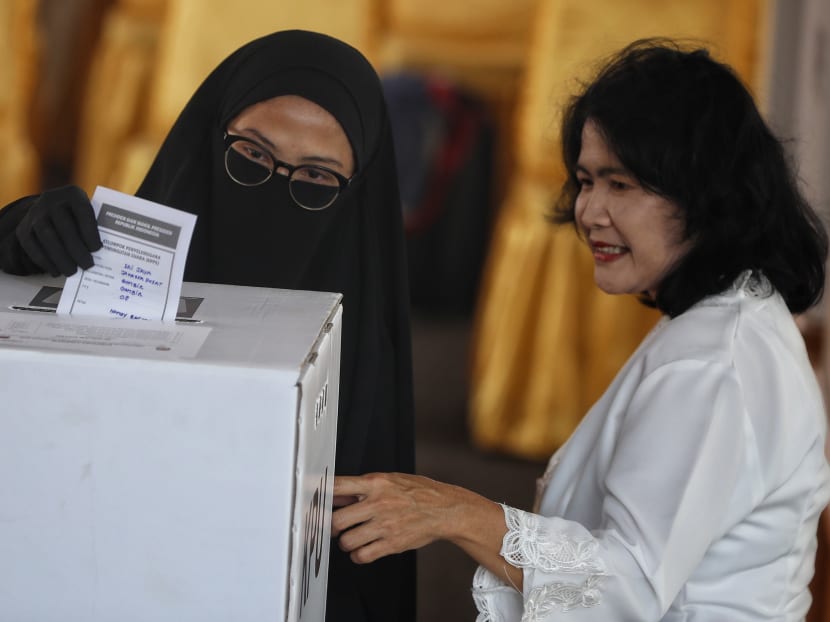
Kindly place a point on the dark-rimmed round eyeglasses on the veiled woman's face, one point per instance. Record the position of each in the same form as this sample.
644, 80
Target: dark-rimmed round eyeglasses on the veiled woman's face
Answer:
311, 187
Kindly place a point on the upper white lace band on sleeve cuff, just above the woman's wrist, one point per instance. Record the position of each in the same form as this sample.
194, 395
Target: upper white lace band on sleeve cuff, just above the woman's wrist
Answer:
529, 544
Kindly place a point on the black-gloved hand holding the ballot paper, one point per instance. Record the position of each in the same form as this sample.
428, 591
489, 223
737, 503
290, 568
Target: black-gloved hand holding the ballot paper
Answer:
58, 232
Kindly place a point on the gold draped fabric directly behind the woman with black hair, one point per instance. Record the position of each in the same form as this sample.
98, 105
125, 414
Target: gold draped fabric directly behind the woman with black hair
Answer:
546, 341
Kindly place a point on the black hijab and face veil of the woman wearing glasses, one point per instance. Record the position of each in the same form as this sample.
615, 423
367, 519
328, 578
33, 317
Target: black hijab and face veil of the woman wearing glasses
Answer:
257, 236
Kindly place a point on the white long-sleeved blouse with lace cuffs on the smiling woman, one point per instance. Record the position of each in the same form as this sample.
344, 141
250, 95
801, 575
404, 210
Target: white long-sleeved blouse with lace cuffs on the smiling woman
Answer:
690, 491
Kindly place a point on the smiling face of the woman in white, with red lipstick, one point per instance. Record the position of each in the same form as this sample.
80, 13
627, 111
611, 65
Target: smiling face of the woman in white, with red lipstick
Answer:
636, 236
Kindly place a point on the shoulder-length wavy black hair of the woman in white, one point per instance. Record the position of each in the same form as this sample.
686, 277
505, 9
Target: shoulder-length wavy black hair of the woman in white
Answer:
686, 127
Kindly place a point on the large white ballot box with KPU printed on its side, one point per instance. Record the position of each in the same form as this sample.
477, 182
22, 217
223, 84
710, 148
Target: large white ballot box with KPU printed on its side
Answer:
173, 471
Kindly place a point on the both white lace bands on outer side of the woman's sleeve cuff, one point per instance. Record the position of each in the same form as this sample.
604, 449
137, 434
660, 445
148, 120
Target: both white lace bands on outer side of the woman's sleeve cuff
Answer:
529, 544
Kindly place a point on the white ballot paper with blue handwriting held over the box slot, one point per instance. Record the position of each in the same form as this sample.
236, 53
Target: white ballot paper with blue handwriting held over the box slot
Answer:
139, 269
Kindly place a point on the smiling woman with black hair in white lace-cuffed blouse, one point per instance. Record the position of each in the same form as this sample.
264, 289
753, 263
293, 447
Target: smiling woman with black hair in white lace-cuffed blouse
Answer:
692, 489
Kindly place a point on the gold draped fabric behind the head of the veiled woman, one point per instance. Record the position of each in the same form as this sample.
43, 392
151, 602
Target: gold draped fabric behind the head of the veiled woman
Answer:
153, 59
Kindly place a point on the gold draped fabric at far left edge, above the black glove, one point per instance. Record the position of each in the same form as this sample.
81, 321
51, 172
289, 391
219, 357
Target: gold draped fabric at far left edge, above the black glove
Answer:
19, 173
